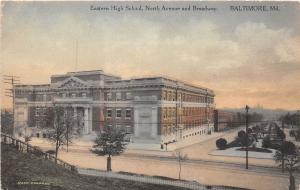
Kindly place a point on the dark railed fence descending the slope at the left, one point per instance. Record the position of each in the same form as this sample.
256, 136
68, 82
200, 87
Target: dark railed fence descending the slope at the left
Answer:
25, 147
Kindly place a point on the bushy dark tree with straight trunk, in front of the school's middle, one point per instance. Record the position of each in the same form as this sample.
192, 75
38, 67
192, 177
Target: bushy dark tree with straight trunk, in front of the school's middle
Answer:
111, 141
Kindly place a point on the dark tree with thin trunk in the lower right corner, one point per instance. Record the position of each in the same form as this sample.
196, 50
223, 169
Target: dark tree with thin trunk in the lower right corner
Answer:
291, 158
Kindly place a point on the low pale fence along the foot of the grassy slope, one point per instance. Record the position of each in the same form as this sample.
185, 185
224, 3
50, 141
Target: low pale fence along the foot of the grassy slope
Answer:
159, 180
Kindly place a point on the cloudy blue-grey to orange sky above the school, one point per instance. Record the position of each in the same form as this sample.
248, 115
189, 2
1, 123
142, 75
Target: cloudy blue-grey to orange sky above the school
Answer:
246, 57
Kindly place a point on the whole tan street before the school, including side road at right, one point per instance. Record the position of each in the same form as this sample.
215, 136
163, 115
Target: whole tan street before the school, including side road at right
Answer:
201, 166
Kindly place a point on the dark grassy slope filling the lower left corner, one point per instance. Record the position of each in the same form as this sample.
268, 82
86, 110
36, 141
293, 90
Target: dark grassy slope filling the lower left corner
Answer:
26, 171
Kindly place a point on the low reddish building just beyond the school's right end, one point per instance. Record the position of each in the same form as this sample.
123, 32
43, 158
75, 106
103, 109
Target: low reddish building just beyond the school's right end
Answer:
223, 119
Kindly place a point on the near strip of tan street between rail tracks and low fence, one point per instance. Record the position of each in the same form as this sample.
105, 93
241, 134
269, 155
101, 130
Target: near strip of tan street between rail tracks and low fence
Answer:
205, 173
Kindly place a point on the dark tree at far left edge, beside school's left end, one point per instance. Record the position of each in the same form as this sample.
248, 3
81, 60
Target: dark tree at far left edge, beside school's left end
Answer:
7, 121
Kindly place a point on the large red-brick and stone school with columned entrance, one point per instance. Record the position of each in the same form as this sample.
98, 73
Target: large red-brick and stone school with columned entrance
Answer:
152, 109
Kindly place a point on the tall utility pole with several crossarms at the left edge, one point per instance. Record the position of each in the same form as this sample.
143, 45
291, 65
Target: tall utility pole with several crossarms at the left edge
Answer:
10, 92
